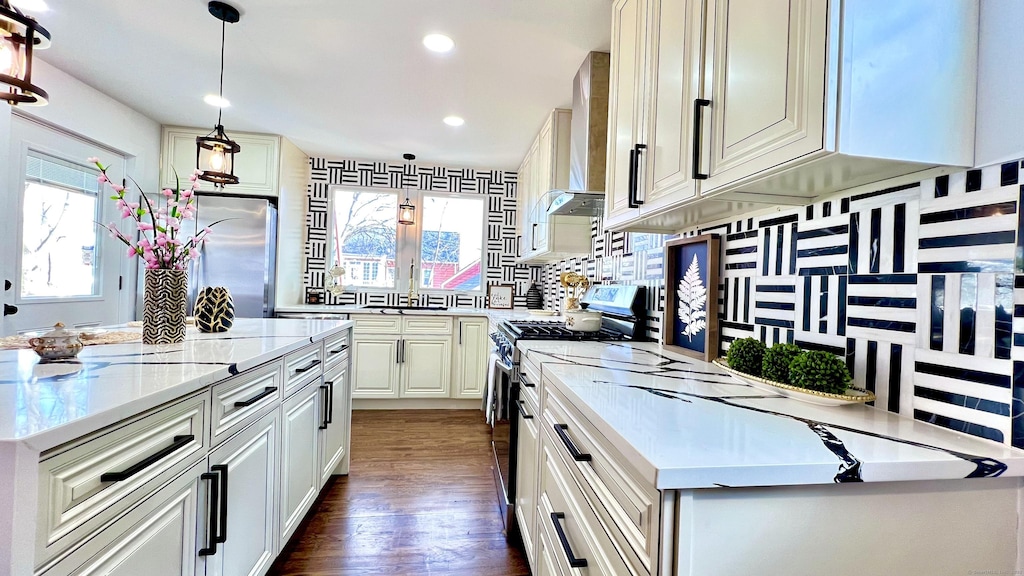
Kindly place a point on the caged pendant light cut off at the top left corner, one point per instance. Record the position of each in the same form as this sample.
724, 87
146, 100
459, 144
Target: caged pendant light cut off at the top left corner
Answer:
20, 36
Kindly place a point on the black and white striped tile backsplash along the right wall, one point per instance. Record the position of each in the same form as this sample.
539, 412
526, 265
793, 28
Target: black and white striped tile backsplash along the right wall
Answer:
920, 287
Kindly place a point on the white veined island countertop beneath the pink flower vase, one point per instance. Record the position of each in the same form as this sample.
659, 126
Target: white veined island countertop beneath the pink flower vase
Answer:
48, 404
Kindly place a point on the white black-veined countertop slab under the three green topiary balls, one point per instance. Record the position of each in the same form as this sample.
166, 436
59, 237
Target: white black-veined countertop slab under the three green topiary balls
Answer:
685, 424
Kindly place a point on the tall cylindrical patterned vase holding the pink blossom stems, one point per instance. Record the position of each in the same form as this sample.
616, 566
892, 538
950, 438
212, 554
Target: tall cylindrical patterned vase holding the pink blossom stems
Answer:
164, 307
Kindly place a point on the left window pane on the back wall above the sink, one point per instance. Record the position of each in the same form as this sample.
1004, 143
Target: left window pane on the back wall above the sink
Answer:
364, 237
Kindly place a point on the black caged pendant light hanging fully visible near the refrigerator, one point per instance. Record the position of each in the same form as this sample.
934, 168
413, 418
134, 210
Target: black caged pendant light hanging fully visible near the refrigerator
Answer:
216, 152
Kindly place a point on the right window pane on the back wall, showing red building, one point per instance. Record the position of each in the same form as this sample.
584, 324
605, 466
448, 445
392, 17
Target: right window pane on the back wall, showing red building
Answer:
452, 243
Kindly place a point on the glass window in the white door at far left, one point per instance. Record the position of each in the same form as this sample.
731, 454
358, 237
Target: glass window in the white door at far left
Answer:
60, 238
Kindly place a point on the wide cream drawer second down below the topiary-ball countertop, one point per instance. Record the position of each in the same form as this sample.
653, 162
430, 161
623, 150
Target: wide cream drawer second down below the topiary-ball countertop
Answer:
581, 545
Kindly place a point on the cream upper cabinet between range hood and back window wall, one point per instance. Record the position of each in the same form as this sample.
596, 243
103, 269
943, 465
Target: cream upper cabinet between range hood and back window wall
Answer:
542, 237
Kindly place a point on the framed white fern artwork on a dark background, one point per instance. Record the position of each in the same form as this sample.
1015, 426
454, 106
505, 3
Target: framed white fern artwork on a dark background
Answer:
692, 271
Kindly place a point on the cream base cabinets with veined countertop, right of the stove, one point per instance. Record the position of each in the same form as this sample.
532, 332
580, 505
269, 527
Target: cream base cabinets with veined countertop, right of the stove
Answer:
681, 469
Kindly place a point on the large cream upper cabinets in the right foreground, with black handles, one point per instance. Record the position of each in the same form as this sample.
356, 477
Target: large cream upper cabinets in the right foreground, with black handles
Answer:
728, 106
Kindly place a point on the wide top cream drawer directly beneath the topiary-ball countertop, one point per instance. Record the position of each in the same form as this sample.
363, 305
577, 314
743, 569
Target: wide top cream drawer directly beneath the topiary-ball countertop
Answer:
628, 506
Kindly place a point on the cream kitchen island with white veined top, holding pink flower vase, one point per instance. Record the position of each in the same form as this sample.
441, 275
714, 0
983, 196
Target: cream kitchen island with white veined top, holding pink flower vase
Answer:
118, 463
